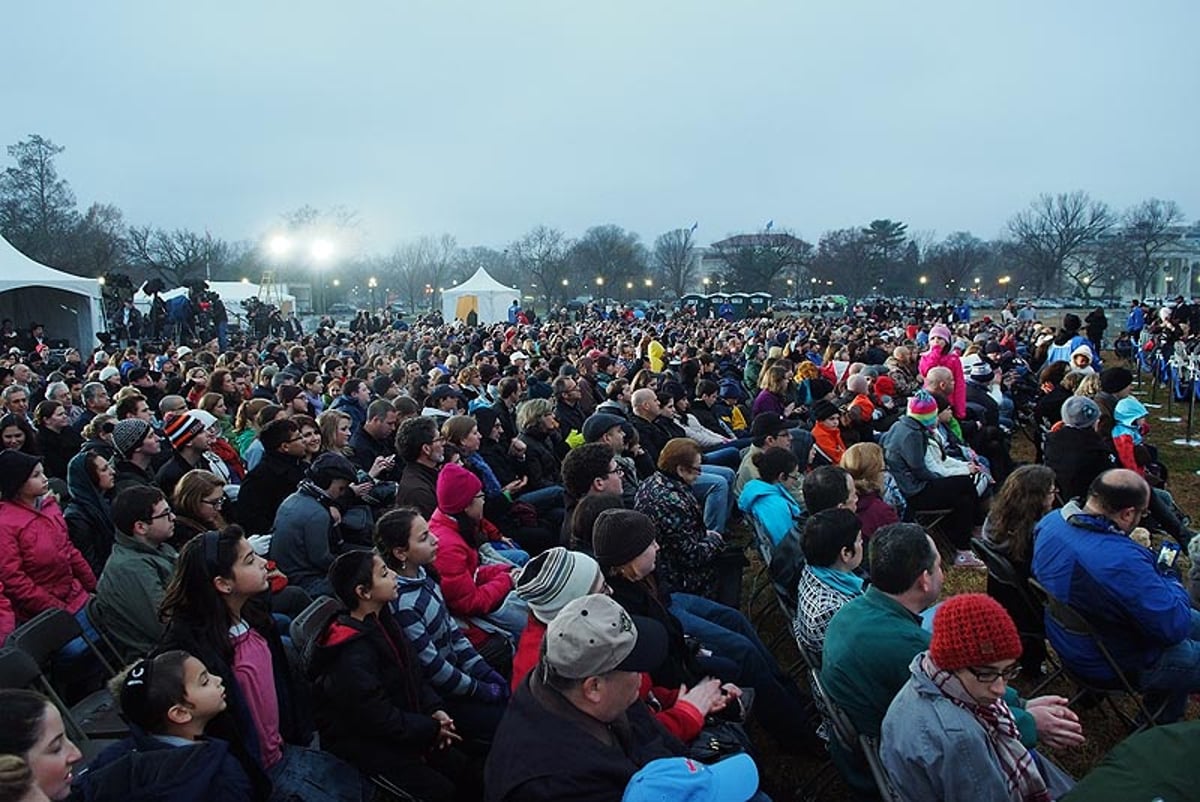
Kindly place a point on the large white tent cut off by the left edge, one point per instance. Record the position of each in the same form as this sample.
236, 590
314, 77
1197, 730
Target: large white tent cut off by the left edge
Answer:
68, 306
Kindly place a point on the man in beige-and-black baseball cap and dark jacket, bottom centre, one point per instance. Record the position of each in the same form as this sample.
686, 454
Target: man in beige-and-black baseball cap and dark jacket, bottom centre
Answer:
575, 728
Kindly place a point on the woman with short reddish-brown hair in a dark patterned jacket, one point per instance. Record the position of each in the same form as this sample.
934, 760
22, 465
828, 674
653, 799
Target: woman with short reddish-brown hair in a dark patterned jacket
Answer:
692, 554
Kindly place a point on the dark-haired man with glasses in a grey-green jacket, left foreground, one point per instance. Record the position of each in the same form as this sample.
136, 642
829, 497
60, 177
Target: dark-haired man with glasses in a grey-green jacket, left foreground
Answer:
135, 578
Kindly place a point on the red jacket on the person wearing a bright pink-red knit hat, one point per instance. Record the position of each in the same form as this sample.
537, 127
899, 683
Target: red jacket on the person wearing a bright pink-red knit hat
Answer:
470, 589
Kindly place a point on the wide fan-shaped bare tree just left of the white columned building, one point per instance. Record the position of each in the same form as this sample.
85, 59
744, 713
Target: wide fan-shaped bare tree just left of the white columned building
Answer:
1054, 230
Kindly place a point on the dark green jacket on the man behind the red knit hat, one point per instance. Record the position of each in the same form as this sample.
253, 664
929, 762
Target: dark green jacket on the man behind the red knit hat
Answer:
868, 649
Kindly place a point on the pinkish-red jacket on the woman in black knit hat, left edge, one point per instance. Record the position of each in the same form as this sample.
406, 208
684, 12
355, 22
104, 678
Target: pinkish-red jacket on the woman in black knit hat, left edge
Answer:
40, 568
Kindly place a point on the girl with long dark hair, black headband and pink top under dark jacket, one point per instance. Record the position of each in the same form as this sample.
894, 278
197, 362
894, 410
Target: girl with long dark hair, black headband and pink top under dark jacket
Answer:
218, 612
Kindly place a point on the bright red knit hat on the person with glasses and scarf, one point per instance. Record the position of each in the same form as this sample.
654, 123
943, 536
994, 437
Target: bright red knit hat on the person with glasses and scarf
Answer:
973, 630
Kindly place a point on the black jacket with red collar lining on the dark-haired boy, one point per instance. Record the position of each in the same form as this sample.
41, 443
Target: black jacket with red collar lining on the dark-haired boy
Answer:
371, 703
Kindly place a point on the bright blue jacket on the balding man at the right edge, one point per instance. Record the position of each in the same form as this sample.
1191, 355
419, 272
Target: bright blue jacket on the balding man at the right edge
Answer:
1089, 564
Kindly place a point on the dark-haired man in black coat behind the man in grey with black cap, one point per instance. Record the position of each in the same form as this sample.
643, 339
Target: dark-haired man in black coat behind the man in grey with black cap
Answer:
274, 478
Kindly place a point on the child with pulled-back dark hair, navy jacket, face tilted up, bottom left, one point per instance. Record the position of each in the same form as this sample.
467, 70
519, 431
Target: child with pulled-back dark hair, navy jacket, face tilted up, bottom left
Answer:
169, 701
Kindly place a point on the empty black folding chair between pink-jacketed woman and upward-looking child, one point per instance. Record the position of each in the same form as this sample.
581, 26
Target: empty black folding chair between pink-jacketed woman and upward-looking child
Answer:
41, 638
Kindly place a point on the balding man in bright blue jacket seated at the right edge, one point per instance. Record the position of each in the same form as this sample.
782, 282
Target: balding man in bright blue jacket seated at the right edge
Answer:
1084, 558
